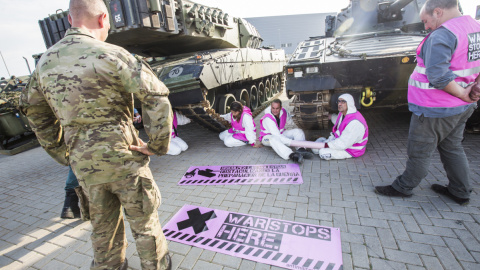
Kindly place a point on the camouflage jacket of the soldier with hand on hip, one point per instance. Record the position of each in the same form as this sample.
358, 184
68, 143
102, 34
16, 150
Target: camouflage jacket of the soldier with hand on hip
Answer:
79, 102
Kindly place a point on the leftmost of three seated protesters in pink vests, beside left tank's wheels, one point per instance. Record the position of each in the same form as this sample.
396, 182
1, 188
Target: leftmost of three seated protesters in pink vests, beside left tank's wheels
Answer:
243, 131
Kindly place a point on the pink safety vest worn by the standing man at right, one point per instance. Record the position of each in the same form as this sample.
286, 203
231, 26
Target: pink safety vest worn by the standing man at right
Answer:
420, 93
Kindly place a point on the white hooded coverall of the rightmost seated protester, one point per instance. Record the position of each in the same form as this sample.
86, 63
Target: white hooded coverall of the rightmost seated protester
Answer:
352, 134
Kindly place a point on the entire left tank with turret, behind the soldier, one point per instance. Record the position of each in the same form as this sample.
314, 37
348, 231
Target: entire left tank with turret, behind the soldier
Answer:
205, 57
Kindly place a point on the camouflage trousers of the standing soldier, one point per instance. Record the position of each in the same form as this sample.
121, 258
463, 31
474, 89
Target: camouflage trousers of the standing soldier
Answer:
140, 199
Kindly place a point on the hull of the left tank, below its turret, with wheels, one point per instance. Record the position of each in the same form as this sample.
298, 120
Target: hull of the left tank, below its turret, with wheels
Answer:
202, 85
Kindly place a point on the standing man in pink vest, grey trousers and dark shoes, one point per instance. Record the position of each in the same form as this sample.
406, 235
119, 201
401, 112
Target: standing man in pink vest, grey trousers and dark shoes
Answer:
448, 63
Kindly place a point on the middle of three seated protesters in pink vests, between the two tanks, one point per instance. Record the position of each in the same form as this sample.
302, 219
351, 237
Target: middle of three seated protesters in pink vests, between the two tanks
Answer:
273, 133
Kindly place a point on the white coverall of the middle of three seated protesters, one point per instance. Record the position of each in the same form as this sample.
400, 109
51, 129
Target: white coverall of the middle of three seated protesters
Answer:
279, 142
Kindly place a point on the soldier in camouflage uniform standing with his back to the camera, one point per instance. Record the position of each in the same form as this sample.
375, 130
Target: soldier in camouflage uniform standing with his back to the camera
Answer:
80, 105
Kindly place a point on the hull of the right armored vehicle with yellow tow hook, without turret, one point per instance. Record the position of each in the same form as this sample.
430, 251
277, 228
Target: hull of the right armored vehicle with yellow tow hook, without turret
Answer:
374, 68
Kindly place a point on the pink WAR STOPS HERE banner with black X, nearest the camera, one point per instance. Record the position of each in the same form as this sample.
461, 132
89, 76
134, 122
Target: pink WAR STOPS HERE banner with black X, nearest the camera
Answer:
282, 243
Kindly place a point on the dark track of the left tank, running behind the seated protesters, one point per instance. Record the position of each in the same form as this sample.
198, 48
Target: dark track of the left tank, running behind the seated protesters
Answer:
204, 115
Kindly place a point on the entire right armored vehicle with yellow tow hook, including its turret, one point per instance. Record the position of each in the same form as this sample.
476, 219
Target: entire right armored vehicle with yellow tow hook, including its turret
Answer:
368, 51
